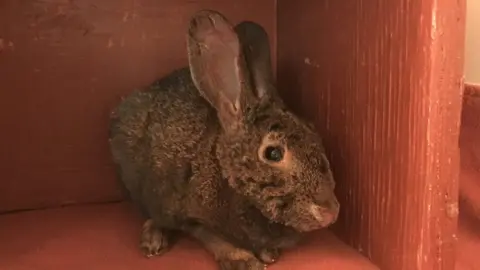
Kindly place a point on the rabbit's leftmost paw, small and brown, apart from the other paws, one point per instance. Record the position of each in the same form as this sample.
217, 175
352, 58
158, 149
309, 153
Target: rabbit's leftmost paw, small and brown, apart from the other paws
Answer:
154, 241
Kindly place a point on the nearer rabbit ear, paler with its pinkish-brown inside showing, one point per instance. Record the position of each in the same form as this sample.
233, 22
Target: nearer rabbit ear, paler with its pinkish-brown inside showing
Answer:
217, 65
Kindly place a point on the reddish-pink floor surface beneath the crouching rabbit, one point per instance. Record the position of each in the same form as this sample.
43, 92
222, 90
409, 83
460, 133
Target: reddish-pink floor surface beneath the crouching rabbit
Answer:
103, 237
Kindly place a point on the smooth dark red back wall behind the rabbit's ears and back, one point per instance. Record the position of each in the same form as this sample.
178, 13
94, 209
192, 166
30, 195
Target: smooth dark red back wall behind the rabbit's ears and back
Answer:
63, 66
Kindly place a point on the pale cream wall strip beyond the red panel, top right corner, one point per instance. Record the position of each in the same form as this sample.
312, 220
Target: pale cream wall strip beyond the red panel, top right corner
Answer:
472, 50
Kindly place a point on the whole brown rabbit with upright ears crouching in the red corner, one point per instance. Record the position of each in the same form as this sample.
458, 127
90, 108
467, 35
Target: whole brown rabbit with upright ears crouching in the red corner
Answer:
212, 151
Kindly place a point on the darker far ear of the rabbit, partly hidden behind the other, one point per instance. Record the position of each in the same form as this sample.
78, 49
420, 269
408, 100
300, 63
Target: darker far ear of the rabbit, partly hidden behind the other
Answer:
256, 48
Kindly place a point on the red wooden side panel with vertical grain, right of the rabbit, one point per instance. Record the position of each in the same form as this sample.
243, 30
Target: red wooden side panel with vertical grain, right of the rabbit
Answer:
383, 82
